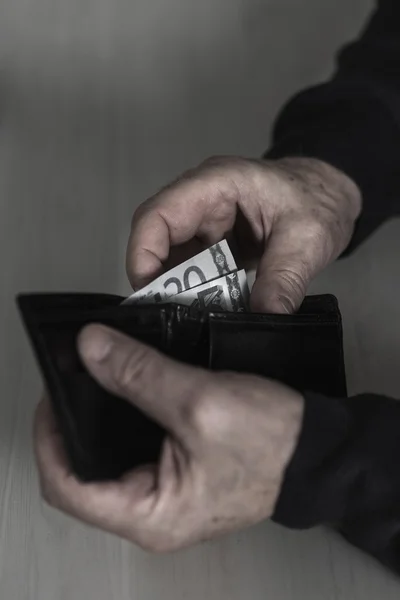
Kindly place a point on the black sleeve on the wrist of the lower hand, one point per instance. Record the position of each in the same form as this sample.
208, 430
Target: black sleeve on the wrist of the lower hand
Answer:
345, 472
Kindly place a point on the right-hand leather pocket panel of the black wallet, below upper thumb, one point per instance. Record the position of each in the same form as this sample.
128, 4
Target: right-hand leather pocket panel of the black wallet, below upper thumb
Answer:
303, 351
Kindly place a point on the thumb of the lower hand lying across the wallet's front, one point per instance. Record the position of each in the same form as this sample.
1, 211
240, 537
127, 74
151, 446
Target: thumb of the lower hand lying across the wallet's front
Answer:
162, 388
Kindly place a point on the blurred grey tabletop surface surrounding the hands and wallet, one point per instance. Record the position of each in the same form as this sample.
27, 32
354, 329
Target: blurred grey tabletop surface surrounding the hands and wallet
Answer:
101, 102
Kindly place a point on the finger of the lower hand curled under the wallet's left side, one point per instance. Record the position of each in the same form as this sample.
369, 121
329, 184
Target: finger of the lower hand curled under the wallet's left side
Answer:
117, 507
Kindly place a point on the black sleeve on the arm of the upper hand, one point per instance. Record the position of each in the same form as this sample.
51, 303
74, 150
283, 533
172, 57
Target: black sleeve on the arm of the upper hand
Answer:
353, 121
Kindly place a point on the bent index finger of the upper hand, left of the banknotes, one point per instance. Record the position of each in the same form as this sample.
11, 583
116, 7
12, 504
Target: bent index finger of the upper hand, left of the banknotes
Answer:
200, 205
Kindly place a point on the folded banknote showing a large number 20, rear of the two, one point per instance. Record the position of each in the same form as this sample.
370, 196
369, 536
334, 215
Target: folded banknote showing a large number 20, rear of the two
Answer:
210, 264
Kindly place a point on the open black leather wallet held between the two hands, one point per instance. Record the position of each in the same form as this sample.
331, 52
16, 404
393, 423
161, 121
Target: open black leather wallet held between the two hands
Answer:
104, 436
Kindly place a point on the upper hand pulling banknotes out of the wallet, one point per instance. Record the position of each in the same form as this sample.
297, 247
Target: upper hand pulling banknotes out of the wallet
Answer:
289, 217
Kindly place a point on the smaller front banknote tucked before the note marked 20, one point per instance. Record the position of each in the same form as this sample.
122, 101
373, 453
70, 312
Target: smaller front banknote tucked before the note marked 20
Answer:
229, 294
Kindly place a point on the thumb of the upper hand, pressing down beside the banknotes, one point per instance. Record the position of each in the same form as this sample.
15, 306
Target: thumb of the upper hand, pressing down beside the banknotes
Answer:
295, 253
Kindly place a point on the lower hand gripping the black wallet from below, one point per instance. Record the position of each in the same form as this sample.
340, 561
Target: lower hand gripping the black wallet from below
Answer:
230, 439
